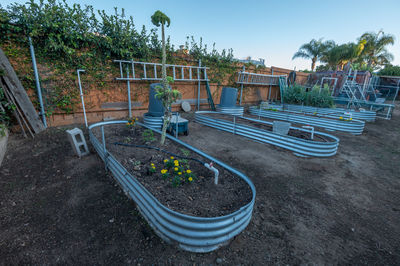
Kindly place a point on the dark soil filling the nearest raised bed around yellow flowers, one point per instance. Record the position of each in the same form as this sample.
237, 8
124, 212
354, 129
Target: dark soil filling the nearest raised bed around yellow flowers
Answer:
199, 198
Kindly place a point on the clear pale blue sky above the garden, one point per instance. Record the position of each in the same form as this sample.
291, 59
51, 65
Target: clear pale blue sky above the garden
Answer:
272, 30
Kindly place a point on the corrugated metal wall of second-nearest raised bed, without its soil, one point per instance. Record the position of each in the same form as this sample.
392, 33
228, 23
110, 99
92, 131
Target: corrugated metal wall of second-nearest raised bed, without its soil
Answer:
300, 147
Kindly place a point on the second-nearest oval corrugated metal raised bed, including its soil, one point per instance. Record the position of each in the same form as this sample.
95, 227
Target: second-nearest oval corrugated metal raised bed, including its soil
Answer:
298, 140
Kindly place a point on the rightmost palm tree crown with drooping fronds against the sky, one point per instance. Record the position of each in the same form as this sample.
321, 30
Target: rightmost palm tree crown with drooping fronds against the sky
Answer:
375, 52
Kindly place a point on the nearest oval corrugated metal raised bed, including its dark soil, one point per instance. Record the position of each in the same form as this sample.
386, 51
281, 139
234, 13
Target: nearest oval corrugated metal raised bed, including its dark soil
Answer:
176, 223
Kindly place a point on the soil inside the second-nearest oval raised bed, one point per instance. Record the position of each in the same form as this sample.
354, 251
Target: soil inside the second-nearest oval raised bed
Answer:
292, 132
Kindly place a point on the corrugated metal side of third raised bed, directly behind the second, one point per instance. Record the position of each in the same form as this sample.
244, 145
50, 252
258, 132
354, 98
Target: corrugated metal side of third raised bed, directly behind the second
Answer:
330, 123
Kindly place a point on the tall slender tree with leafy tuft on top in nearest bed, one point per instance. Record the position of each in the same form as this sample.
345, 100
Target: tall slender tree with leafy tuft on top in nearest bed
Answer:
164, 93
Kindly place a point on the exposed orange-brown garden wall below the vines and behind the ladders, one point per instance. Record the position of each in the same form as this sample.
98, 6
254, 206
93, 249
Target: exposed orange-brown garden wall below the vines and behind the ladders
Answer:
112, 103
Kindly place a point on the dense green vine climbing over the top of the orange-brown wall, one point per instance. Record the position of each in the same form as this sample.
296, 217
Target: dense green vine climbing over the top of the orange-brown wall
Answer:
67, 37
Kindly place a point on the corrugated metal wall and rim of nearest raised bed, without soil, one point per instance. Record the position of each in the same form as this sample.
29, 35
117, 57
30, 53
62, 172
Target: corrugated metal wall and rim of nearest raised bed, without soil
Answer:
195, 234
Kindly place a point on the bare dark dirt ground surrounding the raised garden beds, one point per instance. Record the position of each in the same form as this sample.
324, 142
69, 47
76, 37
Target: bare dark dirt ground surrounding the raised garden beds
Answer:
58, 209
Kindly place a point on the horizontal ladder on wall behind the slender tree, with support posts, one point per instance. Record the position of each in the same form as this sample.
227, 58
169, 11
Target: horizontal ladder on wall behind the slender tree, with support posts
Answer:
129, 71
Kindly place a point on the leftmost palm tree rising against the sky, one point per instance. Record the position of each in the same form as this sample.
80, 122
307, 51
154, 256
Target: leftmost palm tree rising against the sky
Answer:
313, 50
